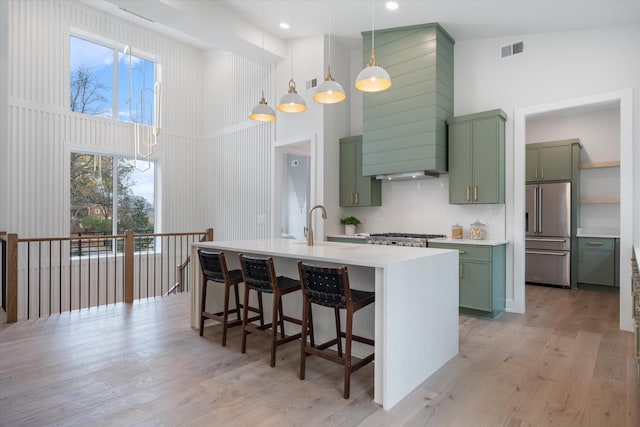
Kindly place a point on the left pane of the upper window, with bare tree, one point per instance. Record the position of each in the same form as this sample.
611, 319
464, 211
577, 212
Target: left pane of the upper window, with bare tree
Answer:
91, 80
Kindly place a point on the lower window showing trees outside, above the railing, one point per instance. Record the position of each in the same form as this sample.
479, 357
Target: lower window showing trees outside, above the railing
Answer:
110, 196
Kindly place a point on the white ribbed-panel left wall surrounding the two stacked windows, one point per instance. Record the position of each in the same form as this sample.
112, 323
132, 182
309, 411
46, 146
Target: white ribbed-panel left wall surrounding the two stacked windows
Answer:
42, 130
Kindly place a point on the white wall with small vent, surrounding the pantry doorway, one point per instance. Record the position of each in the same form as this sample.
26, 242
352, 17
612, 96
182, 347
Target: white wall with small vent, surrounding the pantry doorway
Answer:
554, 67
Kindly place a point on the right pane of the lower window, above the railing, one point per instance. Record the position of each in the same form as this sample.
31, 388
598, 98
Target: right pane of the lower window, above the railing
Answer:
135, 196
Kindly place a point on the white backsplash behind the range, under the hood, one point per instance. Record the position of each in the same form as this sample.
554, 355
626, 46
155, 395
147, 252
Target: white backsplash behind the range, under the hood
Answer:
422, 206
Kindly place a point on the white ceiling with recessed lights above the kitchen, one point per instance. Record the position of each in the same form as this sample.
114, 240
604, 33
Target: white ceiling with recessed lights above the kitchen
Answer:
237, 24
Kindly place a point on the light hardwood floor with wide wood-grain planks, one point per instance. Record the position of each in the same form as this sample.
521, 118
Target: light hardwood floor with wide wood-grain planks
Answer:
563, 363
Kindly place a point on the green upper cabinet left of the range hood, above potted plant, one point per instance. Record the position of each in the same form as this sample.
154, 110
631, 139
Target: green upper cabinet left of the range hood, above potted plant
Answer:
356, 189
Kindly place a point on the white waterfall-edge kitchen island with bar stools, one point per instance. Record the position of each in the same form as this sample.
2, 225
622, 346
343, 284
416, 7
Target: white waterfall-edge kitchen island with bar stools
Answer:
415, 319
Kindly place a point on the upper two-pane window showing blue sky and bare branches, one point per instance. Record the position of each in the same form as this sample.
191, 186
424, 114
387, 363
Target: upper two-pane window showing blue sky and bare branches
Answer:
97, 87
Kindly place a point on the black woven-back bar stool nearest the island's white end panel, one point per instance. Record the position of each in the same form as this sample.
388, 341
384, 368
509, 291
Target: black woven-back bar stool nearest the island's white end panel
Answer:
329, 287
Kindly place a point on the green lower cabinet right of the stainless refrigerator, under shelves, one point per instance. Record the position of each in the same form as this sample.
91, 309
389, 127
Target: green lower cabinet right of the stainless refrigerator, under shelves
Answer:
598, 261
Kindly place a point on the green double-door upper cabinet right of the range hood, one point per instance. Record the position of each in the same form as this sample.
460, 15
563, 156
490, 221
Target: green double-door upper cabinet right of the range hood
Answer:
476, 158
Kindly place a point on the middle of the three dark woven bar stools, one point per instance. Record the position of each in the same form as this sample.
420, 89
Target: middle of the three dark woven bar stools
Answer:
260, 276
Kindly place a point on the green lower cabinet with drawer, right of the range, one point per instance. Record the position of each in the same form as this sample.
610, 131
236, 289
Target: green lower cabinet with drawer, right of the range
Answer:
482, 276
